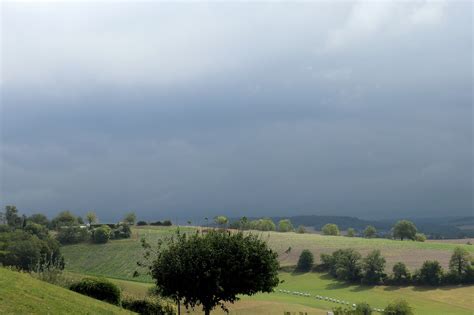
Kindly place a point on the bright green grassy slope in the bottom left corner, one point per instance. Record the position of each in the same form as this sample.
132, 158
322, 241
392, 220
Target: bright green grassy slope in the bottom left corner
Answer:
22, 294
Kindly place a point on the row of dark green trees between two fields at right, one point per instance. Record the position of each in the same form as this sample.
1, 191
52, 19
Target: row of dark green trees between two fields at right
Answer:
348, 265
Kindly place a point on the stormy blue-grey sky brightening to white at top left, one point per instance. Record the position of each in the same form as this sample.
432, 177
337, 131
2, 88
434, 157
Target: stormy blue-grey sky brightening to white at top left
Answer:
192, 109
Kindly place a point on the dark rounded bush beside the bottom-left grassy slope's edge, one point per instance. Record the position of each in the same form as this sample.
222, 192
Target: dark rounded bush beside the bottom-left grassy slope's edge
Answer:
99, 289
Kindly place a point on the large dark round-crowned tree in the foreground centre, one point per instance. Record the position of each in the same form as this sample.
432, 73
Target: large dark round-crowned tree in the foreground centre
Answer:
213, 268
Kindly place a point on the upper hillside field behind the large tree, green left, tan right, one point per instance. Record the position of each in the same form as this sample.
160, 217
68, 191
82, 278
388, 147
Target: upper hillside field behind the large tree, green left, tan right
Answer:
117, 259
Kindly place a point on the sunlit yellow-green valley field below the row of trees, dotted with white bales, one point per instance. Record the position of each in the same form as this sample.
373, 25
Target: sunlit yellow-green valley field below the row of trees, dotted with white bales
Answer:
425, 300
